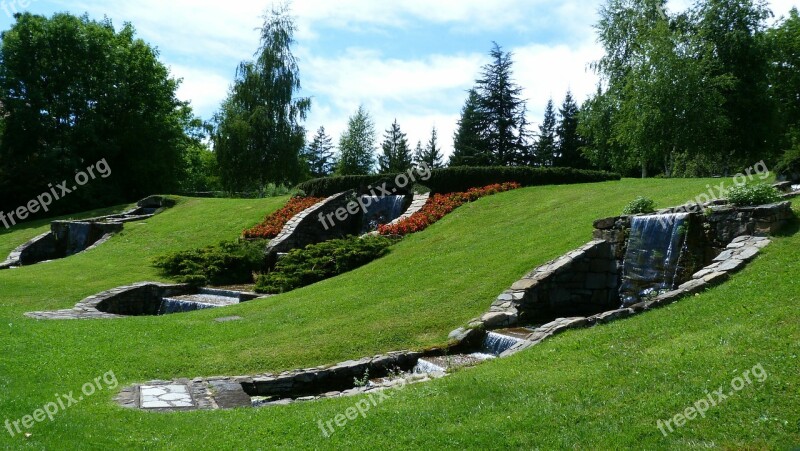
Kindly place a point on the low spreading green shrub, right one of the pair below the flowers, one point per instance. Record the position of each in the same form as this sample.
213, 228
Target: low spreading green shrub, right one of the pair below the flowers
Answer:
317, 262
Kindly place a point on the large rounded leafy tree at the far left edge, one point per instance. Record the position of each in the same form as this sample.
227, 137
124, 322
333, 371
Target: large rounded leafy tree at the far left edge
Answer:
74, 91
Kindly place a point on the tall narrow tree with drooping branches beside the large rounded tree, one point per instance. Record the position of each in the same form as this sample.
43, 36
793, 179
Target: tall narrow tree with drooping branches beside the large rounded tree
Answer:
259, 135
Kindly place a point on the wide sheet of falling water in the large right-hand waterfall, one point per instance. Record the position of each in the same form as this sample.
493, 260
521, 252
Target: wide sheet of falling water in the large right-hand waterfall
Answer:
654, 251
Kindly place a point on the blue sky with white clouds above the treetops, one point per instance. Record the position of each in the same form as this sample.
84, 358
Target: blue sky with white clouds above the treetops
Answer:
411, 60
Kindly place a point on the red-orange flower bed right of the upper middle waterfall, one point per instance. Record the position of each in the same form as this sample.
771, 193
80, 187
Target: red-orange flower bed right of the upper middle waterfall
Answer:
439, 206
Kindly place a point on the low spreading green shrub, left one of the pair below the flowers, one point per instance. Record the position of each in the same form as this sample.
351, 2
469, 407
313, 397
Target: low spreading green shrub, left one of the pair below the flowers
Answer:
228, 263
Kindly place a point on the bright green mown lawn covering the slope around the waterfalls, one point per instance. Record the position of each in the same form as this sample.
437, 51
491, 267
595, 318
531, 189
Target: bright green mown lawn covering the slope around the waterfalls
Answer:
604, 387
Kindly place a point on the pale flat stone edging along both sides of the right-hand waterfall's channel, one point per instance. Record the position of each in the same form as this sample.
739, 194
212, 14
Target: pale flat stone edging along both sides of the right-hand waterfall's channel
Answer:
505, 309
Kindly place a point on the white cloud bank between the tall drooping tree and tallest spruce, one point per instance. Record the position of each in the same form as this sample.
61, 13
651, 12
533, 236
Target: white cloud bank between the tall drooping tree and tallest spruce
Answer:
419, 93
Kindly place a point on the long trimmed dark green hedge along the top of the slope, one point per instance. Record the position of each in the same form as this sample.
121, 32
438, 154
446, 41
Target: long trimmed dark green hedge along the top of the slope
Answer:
460, 179
